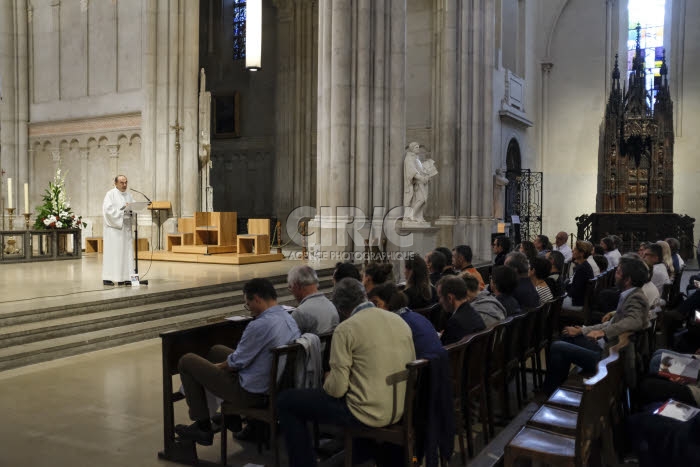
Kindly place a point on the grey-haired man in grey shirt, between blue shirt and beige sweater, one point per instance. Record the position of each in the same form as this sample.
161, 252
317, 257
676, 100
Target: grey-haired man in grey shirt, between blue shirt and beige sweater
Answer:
315, 313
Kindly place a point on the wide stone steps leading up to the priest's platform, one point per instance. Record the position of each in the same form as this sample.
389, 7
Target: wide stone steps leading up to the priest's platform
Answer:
57, 331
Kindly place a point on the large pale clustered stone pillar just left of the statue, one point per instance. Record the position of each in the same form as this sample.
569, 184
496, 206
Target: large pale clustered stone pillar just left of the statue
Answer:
361, 117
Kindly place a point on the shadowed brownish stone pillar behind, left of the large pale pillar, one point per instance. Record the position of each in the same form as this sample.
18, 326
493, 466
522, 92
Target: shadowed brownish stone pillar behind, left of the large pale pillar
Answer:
295, 167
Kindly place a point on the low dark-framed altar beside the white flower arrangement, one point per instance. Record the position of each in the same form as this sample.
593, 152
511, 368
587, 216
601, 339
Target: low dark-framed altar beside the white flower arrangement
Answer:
22, 246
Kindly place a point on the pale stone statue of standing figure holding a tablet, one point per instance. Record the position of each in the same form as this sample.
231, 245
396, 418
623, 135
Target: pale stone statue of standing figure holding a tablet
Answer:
416, 175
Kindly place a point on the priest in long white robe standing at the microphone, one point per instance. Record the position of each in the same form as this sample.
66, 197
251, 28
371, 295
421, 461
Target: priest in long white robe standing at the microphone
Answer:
118, 257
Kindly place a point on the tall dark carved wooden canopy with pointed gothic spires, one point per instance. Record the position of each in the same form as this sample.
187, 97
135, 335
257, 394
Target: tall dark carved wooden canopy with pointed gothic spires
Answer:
635, 157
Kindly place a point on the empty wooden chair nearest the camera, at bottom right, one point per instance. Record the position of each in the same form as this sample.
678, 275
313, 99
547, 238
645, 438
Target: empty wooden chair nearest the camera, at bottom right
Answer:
551, 448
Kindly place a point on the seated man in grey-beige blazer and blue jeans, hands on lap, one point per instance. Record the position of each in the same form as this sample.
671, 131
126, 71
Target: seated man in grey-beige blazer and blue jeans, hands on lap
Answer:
580, 345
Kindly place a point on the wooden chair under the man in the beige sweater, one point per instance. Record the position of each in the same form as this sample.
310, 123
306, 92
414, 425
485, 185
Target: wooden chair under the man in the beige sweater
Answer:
401, 433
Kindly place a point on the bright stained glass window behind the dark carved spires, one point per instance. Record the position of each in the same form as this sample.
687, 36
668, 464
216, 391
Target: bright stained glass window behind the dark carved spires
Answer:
649, 15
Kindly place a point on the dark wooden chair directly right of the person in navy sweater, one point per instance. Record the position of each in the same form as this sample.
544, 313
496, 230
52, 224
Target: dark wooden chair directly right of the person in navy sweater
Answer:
473, 345
